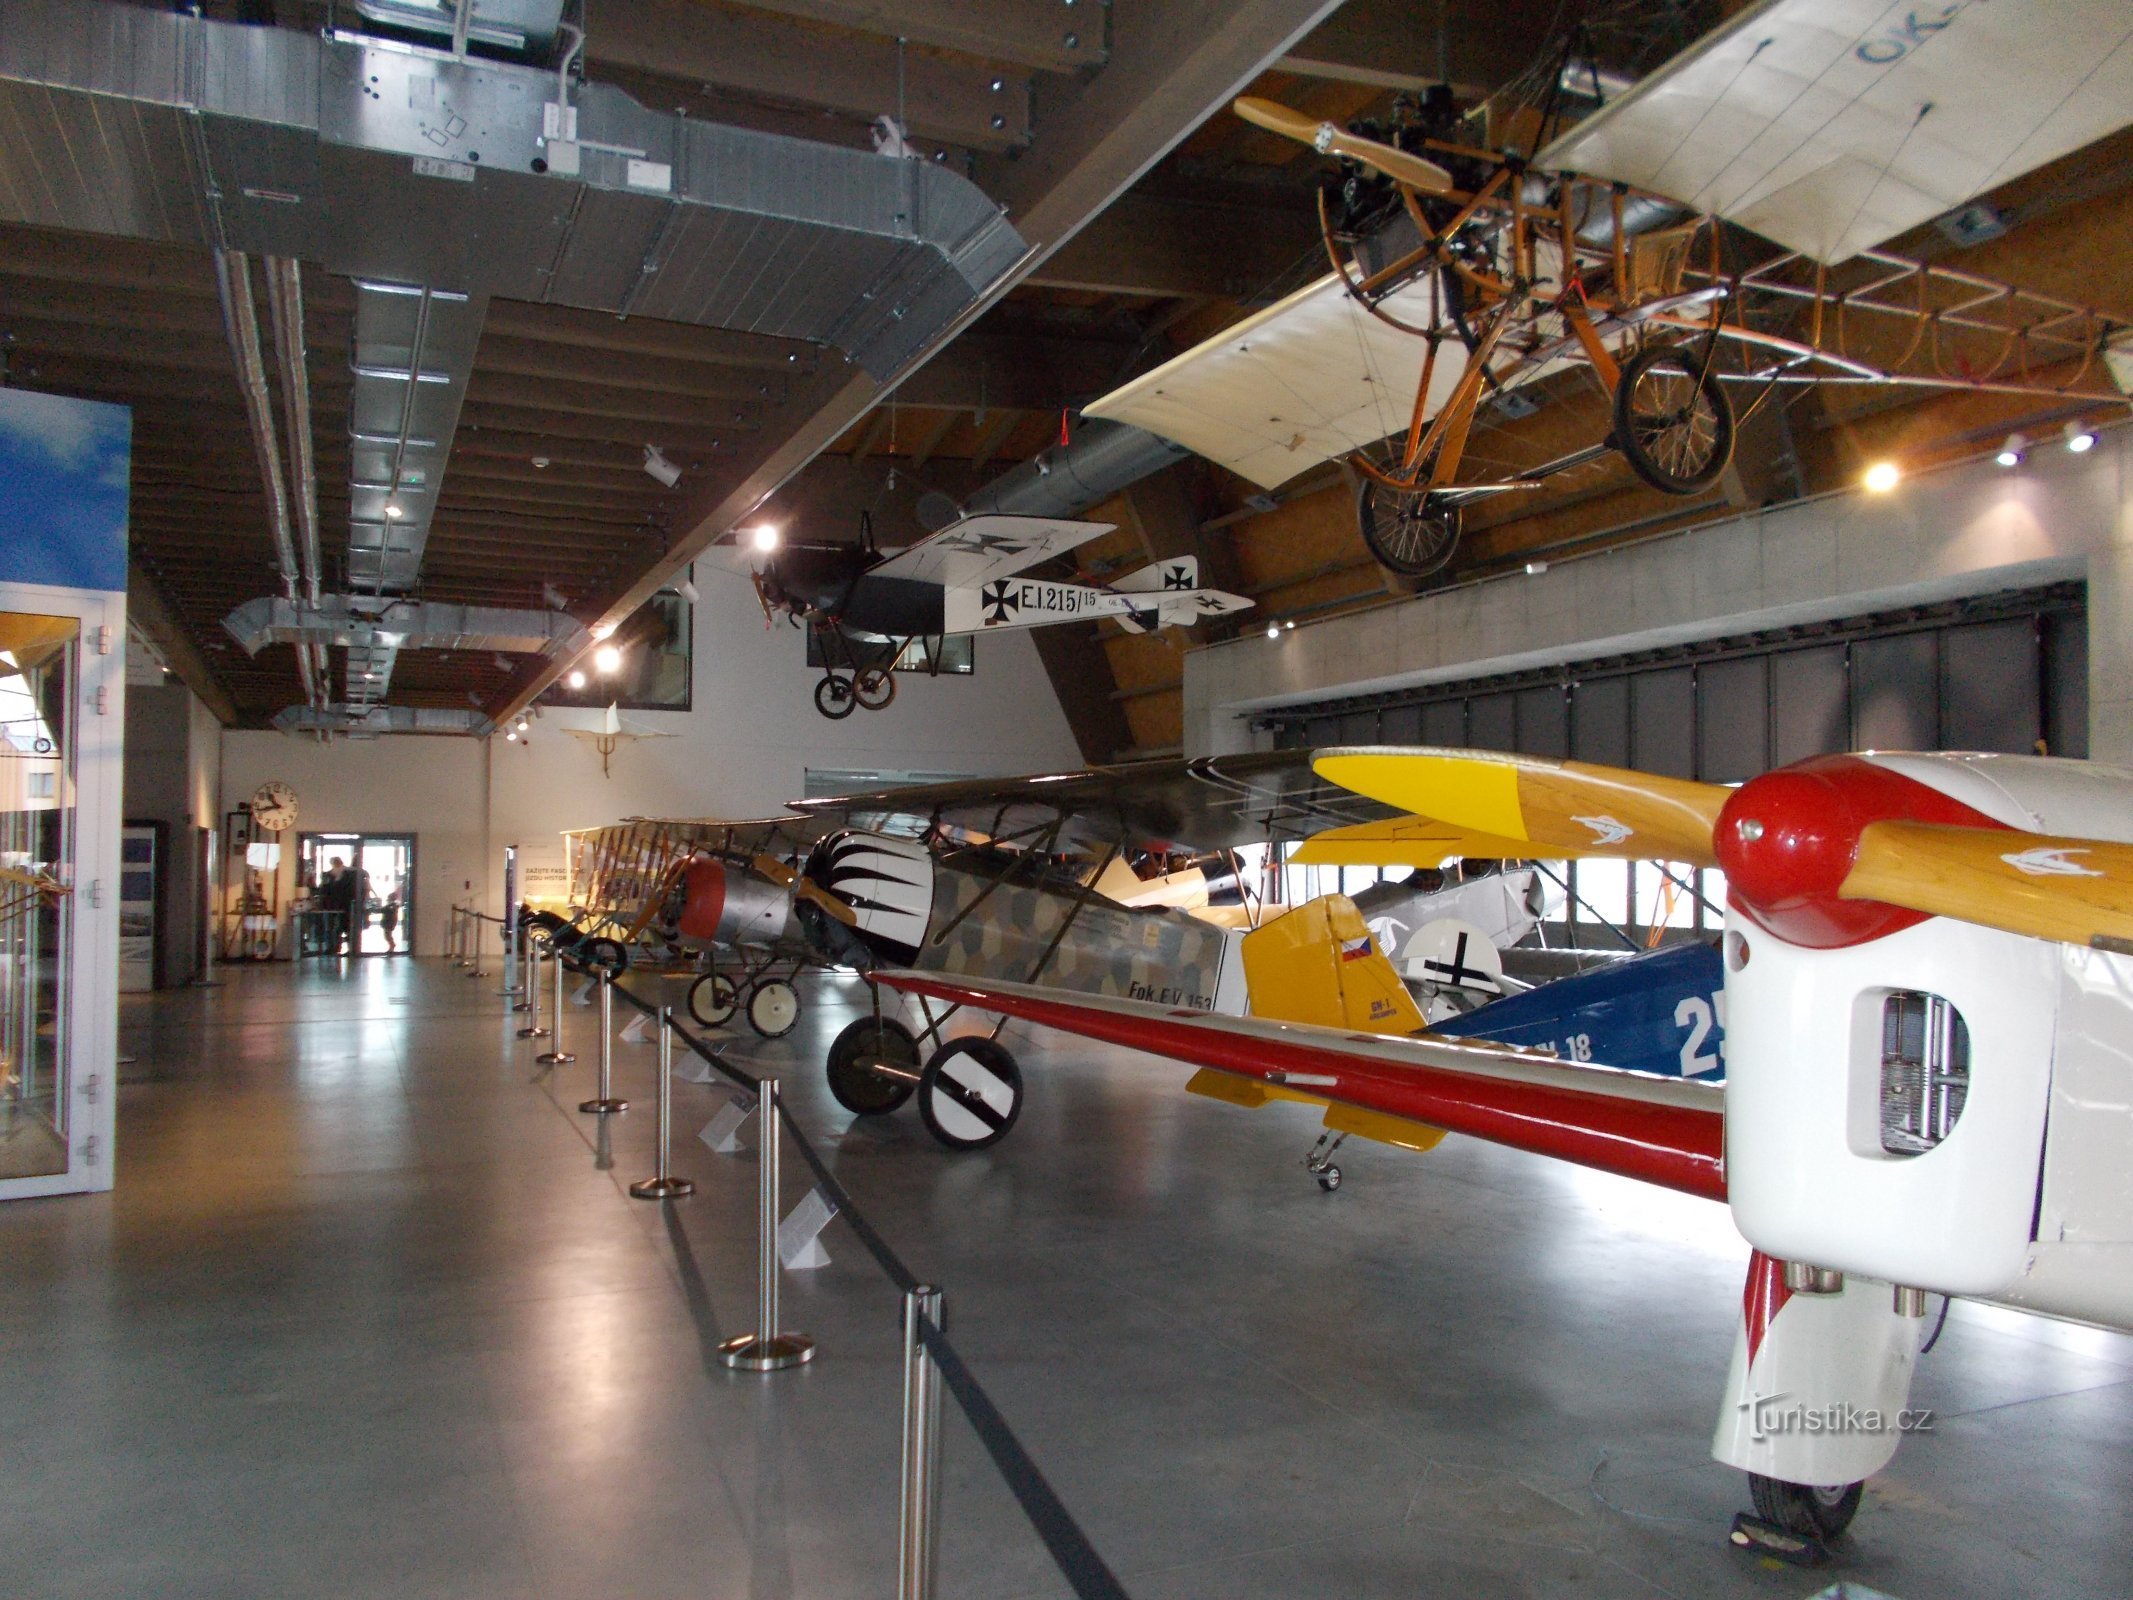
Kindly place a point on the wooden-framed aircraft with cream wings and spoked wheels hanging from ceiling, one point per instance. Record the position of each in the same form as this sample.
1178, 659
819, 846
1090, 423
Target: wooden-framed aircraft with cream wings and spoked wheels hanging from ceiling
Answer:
1710, 236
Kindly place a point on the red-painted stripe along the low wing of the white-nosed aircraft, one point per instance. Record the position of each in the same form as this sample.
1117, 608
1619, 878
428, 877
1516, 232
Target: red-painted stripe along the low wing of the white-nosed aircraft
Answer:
1673, 1147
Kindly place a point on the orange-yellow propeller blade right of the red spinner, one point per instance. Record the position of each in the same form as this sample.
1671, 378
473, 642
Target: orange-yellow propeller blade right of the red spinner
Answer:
2079, 891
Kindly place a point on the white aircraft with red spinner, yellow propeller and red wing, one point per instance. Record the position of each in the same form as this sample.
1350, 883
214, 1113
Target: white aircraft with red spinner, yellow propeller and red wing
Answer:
1929, 1070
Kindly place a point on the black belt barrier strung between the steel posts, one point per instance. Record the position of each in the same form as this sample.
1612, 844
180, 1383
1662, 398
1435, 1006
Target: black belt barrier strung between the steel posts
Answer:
1087, 1573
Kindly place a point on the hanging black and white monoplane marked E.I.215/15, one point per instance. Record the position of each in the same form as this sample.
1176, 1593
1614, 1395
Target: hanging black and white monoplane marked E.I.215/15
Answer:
967, 579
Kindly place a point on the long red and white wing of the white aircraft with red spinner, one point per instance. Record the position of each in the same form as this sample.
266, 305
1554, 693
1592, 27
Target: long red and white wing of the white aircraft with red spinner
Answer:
1665, 1132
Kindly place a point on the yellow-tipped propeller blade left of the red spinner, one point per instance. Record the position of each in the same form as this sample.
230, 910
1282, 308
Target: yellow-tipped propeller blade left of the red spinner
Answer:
1556, 807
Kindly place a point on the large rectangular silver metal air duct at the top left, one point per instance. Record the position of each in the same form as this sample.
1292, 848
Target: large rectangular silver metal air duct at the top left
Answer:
408, 165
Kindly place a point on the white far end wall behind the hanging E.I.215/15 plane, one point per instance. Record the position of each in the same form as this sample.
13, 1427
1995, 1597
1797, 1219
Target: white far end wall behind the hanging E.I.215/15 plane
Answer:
741, 754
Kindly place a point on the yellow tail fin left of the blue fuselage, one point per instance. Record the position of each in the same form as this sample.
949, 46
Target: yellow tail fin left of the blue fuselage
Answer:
1319, 965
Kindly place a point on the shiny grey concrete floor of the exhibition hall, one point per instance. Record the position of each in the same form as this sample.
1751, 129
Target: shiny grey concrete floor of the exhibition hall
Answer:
370, 1315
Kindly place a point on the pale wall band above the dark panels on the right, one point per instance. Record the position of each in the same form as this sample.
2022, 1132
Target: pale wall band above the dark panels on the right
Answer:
1959, 532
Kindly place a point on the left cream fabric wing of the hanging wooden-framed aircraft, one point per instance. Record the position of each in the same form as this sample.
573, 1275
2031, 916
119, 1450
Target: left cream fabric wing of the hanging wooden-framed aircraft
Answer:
1311, 379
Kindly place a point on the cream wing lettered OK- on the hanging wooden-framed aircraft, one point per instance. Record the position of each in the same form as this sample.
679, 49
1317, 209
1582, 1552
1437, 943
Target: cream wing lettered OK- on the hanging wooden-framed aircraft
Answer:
1835, 125
